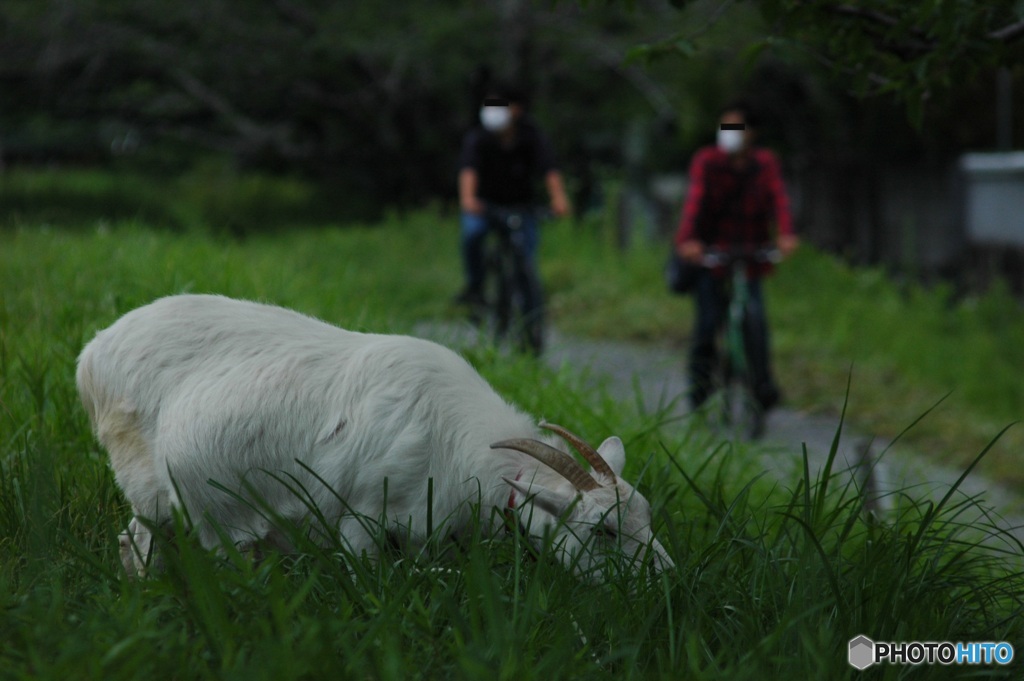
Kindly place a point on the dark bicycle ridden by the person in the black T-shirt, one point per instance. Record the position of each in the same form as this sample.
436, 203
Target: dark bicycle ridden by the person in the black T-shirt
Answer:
513, 296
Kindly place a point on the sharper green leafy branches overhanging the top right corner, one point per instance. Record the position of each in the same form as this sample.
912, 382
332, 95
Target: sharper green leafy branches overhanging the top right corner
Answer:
912, 51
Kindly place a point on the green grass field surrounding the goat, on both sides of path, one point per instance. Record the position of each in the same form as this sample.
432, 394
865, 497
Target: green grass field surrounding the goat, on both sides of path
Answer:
773, 579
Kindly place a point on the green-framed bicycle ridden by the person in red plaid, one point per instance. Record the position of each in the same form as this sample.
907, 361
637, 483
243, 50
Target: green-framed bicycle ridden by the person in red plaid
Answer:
741, 409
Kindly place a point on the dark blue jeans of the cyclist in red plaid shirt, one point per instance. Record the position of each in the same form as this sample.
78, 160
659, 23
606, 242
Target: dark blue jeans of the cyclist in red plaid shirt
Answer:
712, 308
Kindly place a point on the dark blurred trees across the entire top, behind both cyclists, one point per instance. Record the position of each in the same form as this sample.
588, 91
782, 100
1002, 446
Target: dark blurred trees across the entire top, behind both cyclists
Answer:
373, 99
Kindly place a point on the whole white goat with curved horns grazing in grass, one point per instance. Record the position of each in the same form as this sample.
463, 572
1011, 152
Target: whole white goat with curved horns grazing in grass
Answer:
192, 390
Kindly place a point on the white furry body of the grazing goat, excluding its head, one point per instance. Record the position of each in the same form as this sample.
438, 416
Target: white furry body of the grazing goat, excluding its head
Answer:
192, 389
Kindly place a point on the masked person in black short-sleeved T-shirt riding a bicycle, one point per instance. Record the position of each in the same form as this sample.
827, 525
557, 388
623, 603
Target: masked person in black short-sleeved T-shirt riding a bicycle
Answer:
501, 162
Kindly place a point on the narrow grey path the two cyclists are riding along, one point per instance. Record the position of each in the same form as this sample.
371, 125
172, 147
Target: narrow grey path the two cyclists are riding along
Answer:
659, 373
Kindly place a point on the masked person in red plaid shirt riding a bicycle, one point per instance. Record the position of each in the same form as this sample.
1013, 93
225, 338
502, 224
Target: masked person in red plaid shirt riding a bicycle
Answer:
736, 197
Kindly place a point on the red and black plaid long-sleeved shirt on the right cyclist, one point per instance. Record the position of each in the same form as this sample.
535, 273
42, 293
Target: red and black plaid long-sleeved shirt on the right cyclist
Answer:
731, 208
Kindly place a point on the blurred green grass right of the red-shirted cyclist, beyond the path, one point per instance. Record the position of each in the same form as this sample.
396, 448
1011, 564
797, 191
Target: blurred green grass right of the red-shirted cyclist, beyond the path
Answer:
908, 346
